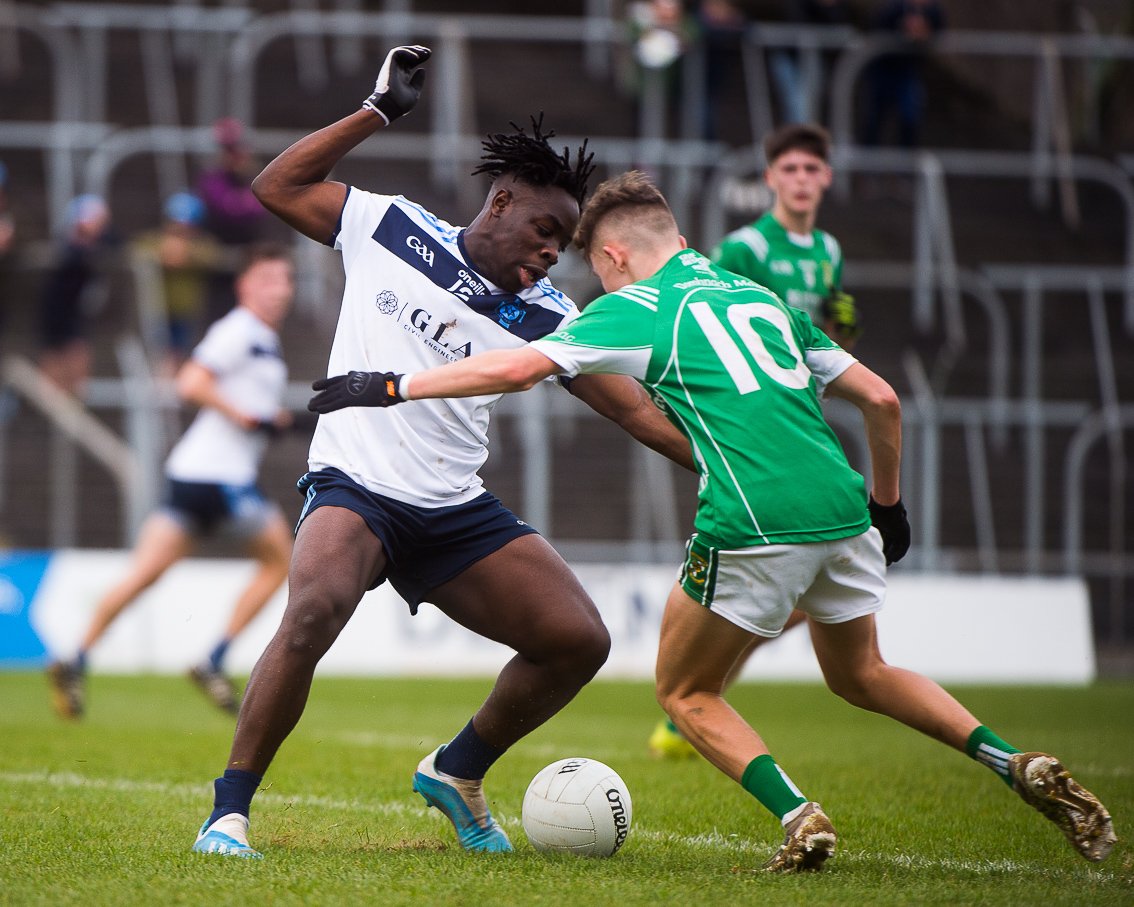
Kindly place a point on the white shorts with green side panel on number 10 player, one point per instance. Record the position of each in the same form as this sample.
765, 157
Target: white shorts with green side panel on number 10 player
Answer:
757, 589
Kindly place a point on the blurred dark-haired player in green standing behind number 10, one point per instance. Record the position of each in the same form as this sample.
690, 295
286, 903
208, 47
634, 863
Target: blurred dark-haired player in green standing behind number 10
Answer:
783, 250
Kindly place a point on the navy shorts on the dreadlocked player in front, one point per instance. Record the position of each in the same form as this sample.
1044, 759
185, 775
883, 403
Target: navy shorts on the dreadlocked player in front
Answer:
426, 547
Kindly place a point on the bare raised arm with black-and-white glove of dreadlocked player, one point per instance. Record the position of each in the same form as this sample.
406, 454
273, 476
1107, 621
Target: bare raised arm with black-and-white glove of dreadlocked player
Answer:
295, 188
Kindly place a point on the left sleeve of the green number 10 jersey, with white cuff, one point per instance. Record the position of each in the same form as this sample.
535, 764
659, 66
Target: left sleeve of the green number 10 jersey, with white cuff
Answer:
613, 336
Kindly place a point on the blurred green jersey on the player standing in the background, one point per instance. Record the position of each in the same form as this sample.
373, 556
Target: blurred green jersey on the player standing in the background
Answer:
802, 270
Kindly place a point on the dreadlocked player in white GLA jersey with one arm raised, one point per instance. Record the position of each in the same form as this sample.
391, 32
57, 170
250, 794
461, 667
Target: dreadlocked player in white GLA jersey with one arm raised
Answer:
396, 495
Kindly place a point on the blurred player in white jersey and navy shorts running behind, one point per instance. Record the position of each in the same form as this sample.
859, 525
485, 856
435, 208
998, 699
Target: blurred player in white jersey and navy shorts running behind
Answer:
236, 376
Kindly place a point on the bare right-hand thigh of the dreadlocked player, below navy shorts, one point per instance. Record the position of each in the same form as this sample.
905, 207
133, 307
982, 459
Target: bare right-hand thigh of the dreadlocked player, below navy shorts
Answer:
523, 596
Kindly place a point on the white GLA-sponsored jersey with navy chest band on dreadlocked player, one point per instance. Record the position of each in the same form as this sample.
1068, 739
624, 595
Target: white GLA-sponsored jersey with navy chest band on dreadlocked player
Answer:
413, 302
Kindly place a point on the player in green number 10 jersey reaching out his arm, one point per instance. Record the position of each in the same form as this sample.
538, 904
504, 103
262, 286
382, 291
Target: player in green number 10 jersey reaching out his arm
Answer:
783, 521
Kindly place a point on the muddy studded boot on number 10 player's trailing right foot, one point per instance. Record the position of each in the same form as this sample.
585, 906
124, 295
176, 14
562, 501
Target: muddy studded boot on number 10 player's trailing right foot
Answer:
1046, 785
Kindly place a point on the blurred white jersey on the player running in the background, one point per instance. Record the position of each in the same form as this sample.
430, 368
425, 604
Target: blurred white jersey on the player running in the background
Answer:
244, 354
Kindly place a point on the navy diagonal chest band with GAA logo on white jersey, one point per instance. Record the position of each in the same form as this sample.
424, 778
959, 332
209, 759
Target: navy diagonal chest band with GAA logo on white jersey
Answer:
403, 238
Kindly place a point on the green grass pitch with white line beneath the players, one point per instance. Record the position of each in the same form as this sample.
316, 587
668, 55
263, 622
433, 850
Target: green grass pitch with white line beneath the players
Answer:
105, 811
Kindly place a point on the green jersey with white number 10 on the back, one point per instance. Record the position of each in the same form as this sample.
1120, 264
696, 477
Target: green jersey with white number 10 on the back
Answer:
740, 374
